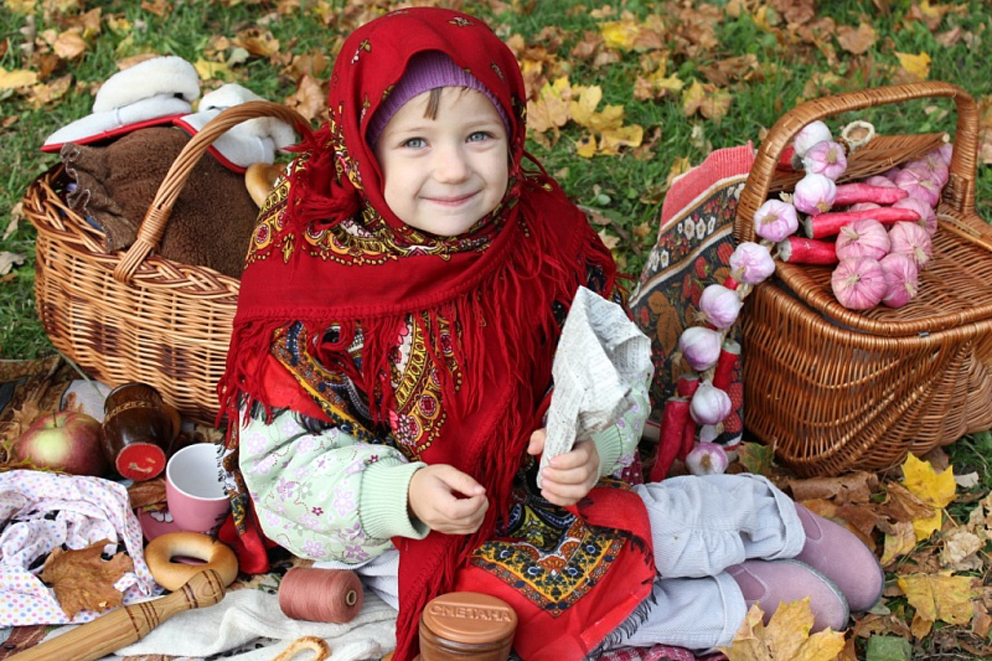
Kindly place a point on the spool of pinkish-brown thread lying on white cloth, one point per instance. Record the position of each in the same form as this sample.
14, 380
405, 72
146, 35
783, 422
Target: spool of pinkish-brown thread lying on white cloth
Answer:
320, 595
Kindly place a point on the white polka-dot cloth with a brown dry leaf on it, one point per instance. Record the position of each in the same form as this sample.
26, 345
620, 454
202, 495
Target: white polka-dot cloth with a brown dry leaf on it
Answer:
42, 511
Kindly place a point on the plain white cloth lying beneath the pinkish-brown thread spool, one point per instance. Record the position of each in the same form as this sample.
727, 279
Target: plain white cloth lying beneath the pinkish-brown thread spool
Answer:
247, 615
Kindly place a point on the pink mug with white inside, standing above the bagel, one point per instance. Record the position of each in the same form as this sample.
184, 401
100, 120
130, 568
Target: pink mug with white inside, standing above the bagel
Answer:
194, 488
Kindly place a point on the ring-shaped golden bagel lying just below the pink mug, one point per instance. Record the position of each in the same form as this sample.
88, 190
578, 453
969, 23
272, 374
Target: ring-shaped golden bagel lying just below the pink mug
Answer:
173, 575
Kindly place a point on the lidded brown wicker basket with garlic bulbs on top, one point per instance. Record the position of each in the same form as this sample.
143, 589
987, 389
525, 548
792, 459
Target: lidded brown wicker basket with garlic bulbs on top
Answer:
832, 389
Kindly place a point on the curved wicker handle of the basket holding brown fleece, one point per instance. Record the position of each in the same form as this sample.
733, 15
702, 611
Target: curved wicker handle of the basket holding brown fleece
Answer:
153, 226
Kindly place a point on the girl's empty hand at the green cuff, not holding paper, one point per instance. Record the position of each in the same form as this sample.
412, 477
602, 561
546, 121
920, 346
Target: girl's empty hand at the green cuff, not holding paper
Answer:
447, 500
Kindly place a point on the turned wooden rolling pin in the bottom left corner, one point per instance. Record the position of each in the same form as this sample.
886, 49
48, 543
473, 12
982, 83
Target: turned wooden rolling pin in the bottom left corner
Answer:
128, 624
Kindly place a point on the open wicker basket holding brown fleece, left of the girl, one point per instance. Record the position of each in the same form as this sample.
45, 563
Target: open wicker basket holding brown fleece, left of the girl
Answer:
136, 316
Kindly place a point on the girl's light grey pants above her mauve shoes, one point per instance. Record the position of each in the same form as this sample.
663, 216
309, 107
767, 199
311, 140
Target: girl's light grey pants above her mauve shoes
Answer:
700, 526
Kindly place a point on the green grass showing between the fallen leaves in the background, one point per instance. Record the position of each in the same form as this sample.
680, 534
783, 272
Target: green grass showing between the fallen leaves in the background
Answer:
626, 190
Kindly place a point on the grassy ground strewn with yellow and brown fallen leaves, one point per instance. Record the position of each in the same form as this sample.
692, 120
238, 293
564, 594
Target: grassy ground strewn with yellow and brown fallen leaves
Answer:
623, 97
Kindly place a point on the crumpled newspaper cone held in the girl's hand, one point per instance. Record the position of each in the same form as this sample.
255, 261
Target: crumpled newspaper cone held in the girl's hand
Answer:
600, 356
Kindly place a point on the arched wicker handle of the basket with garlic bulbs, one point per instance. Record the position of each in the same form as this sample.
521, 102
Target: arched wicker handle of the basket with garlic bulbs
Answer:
960, 189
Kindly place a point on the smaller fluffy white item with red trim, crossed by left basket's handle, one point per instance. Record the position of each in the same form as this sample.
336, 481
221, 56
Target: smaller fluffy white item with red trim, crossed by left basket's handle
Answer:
252, 141
